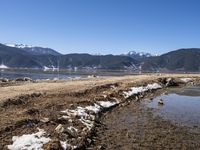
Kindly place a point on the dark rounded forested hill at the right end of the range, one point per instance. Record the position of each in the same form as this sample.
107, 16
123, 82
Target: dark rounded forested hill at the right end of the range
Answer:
178, 60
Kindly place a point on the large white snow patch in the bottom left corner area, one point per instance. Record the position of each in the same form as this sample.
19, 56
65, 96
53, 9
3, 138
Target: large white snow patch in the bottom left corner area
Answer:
29, 141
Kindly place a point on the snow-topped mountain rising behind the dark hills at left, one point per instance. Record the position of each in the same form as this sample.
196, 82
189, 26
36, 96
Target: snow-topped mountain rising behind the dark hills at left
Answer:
35, 50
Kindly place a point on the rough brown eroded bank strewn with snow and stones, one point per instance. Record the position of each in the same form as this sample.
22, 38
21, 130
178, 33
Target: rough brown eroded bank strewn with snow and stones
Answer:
67, 120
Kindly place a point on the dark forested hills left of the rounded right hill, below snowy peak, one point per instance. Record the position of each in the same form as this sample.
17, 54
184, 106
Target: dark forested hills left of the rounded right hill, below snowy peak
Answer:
13, 56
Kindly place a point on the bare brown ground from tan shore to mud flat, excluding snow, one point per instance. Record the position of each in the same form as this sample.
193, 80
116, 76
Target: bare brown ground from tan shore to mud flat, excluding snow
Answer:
25, 106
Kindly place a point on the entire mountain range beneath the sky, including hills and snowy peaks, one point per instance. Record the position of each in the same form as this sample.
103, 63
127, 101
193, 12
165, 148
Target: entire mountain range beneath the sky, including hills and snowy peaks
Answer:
24, 56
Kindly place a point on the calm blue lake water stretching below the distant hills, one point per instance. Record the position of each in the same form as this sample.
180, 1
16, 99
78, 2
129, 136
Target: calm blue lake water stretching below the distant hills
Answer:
38, 74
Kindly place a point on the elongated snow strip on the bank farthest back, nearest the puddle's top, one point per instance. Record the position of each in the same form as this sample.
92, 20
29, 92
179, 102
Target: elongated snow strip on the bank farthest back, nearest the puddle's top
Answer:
137, 90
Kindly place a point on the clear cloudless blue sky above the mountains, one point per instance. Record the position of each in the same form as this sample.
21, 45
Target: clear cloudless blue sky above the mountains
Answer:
102, 26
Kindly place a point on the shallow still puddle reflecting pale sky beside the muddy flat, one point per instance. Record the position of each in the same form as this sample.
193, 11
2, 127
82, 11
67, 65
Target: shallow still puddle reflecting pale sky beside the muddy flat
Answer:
181, 106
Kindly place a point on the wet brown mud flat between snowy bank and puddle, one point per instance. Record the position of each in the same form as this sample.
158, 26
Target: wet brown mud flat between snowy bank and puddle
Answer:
136, 127
